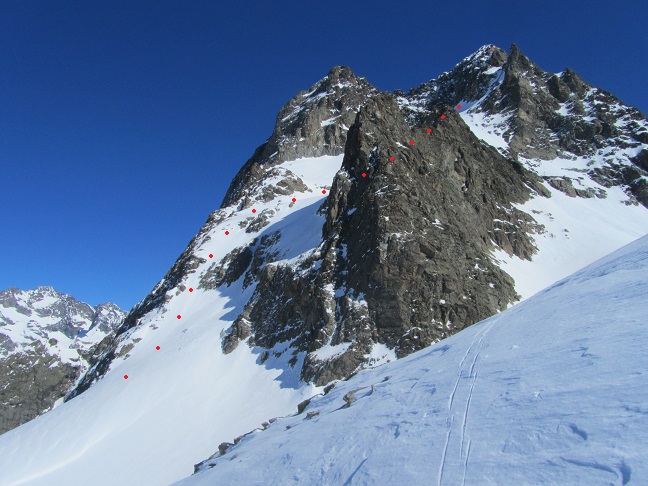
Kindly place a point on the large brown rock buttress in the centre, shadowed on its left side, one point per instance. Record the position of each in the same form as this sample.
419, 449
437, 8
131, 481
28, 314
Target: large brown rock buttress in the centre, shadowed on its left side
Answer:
403, 259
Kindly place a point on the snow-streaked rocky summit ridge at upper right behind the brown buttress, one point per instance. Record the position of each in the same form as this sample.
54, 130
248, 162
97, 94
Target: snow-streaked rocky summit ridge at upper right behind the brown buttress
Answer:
540, 116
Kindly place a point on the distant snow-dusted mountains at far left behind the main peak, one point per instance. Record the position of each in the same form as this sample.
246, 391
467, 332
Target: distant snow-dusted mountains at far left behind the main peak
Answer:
46, 339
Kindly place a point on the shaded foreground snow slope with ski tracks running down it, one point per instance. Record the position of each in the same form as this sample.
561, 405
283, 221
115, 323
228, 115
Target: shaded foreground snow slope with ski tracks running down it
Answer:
551, 391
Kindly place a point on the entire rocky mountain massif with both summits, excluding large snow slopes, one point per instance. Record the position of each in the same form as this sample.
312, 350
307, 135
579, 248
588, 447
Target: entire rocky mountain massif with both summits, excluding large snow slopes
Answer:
427, 189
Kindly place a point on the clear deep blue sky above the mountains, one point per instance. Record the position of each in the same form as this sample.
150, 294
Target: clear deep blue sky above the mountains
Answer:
123, 122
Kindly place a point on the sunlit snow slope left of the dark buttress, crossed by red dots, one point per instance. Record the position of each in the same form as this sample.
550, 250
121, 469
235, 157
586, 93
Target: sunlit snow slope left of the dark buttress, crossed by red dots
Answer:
181, 401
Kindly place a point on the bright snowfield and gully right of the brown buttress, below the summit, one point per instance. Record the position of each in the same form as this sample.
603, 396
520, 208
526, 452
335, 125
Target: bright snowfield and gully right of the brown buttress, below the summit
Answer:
577, 230
